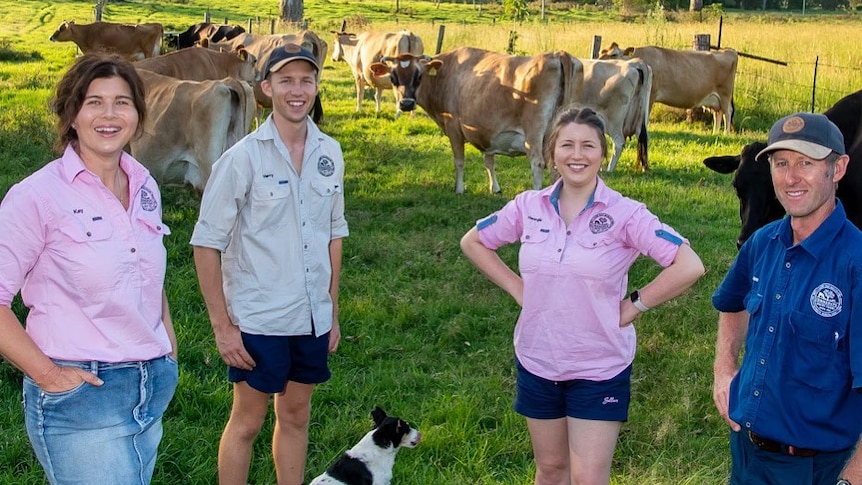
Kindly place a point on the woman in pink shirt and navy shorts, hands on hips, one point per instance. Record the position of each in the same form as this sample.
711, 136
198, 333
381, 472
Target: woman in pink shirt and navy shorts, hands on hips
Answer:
574, 341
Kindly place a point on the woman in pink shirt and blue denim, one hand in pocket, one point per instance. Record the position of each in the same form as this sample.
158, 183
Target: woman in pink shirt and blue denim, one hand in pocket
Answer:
81, 239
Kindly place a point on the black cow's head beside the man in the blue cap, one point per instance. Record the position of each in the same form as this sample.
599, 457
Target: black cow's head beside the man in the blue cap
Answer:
752, 181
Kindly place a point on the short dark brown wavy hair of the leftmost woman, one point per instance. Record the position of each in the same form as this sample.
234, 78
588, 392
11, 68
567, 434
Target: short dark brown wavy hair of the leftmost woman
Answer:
73, 87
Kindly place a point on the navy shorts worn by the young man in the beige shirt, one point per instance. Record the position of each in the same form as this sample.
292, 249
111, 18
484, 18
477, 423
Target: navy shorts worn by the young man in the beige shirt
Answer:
278, 359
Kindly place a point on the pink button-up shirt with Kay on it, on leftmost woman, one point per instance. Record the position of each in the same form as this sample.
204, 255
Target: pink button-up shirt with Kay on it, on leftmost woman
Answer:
90, 272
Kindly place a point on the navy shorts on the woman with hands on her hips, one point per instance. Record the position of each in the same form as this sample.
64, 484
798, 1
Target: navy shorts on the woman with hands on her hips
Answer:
540, 398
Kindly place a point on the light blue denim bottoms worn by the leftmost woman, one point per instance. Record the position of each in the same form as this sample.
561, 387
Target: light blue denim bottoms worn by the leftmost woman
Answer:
108, 434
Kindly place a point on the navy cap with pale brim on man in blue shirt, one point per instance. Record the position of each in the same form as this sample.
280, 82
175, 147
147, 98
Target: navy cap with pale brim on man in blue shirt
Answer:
810, 134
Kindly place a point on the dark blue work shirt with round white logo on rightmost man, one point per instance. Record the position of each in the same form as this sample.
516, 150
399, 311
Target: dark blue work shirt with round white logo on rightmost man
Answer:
801, 374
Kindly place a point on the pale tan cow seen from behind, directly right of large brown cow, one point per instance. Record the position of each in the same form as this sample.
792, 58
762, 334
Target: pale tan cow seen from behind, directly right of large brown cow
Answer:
619, 91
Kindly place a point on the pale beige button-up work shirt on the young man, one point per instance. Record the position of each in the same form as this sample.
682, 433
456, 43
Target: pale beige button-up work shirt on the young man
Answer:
273, 227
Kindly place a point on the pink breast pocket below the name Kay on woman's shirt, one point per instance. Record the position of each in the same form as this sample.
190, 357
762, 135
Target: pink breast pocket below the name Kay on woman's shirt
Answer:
89, 255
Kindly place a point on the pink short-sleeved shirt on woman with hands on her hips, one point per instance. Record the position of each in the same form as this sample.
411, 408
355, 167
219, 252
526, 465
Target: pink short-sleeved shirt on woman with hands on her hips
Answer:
575, 277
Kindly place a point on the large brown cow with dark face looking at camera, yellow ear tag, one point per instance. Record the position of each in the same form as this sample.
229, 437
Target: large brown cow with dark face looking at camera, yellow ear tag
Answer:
500, 104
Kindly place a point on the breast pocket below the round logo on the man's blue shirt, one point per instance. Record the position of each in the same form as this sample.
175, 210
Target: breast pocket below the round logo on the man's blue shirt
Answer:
814, 359
